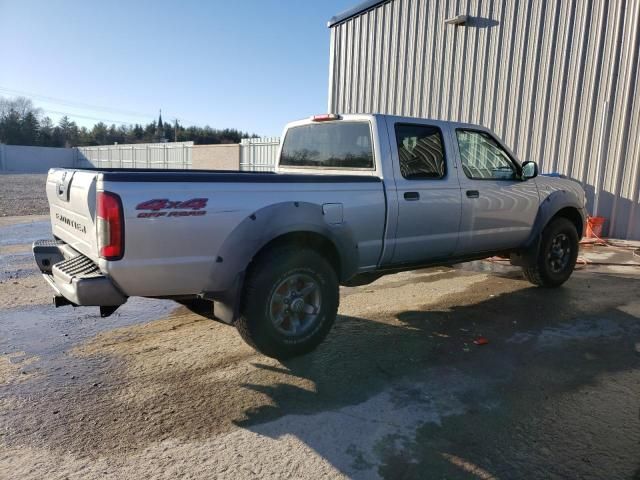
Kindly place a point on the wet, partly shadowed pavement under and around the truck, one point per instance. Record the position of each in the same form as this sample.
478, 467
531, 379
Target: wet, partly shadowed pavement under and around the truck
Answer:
398, 390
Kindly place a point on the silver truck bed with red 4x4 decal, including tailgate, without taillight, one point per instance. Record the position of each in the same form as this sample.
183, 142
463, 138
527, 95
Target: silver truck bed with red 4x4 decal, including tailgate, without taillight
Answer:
174, 247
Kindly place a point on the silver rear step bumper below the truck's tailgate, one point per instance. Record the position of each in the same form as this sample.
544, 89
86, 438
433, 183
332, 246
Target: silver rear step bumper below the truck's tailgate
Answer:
75, 277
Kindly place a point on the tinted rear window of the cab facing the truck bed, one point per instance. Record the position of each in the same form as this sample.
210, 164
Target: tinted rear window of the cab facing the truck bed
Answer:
331, 145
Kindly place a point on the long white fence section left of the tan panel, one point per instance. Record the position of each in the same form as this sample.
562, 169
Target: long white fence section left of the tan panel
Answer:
141, 155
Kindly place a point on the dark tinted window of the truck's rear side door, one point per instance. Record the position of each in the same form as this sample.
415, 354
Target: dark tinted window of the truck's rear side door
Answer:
421, 152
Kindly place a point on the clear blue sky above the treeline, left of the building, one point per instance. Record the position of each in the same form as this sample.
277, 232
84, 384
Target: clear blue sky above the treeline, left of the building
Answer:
253, 65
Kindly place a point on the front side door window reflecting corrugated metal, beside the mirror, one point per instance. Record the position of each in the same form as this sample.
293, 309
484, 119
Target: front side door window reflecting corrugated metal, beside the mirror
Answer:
482, 157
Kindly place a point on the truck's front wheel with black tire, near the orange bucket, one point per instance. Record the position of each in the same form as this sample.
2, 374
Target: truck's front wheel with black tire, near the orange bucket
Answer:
551, 270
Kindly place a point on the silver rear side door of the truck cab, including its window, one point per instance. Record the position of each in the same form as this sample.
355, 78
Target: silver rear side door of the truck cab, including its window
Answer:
428, 192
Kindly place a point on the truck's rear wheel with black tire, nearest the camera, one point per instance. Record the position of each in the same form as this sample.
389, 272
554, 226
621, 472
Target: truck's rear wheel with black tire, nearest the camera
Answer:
268, 281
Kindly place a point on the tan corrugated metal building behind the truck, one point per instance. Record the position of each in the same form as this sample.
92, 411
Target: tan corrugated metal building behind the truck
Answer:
558, 80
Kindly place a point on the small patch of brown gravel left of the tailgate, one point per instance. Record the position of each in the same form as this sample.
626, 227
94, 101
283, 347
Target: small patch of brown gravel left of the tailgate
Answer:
23, 194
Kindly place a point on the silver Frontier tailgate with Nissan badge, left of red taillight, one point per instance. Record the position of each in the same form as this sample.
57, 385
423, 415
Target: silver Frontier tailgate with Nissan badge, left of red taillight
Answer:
72, 201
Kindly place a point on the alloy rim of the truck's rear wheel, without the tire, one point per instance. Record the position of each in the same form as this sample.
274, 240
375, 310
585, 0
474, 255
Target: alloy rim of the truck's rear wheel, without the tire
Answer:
294, 306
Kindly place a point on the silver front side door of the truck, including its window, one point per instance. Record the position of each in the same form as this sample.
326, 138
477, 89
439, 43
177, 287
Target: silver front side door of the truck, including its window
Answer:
498, 209
